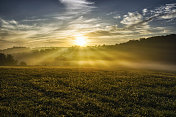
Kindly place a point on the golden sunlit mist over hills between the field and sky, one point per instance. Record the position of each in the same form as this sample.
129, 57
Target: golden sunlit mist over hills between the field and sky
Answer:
151, 53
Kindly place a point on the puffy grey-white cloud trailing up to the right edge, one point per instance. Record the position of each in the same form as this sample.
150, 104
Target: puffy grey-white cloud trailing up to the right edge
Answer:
135, 19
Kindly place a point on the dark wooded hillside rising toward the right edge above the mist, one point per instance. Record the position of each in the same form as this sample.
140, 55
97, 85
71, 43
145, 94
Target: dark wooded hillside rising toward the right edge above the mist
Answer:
159, 48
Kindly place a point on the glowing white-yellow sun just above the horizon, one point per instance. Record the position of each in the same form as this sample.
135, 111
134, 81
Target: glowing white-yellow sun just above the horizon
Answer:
80, 41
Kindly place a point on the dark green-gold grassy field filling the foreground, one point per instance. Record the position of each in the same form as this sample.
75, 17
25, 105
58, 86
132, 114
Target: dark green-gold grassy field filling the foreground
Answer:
47, 91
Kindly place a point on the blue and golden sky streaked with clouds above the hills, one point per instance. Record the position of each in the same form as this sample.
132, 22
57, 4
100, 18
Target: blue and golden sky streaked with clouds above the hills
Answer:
56, 23
